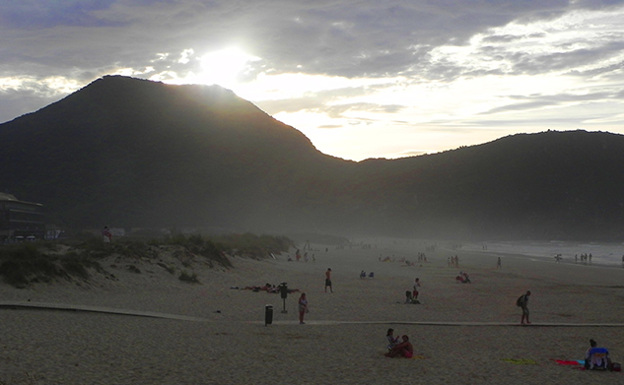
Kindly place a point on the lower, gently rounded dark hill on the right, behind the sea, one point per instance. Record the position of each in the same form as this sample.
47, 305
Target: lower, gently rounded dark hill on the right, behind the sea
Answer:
549, 185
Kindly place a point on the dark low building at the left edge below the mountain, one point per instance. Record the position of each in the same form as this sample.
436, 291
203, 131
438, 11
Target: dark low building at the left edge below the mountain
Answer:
20, 220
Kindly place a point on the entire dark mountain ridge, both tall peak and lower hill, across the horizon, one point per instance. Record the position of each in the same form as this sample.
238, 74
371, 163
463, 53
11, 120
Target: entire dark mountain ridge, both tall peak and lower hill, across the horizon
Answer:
135, 153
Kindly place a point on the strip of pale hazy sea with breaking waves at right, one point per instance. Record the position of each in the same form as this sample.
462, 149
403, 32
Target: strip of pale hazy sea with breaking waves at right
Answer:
606, 254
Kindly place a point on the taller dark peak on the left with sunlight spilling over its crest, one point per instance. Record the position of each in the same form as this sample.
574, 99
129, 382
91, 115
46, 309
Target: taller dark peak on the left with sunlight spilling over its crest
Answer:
139, 153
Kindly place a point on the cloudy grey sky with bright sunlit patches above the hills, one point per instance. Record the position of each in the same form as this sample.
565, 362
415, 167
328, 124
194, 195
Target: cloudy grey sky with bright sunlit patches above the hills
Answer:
361, 79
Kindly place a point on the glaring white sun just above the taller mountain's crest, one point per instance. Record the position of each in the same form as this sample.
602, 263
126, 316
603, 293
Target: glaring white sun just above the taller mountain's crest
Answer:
223, 67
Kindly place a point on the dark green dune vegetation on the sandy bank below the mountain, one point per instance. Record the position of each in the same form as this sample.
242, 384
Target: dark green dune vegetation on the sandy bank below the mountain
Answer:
78, 259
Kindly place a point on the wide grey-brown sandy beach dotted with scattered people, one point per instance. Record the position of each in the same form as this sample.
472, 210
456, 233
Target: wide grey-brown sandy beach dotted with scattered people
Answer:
468, 333
